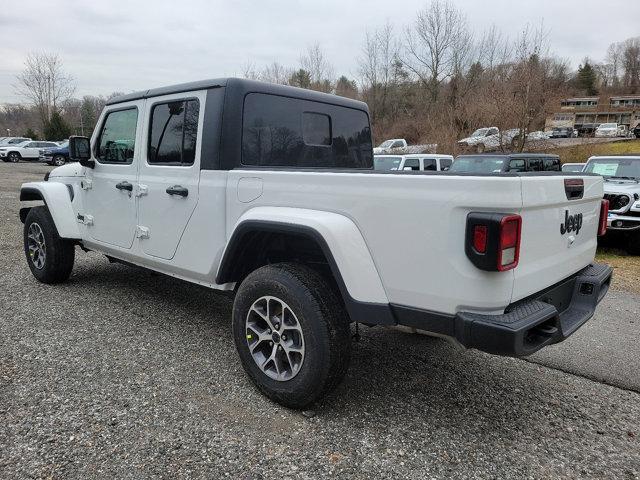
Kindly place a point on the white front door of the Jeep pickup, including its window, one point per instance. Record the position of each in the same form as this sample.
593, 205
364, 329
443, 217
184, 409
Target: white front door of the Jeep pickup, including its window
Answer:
110, 188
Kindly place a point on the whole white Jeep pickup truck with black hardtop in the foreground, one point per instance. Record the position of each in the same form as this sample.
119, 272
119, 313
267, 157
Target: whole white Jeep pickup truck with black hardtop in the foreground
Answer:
269, 192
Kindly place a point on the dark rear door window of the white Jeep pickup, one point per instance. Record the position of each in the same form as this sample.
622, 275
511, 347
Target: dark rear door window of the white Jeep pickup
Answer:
173, 133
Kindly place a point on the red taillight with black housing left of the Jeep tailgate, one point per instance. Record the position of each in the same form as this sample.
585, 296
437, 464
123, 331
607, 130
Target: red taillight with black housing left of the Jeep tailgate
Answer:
493, 241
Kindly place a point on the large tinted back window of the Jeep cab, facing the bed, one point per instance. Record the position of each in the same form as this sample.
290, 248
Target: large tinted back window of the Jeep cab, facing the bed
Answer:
289, 132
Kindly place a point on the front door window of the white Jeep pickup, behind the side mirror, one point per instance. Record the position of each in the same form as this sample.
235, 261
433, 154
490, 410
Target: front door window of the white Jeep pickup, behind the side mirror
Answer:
117, 140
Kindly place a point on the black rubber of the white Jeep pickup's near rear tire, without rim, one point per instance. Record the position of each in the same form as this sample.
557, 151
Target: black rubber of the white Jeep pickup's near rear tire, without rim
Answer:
324, 323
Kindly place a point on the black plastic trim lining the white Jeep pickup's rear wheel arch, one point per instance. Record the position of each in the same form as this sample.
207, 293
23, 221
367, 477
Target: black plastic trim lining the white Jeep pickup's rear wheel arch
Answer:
362, 312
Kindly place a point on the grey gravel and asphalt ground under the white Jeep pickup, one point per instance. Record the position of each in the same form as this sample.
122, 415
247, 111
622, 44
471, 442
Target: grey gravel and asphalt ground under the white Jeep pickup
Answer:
122, 374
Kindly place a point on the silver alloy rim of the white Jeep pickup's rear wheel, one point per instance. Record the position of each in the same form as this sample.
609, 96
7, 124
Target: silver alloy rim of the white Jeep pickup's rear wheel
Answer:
275, 339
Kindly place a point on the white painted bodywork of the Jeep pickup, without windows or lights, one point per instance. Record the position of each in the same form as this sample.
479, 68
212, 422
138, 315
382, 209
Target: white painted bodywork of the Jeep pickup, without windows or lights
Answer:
396, 238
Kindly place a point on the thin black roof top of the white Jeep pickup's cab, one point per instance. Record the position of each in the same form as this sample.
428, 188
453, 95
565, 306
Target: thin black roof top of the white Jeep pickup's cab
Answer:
246, 86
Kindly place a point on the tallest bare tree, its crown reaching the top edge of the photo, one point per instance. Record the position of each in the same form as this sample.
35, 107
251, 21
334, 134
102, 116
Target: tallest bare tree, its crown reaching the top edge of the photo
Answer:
436, 44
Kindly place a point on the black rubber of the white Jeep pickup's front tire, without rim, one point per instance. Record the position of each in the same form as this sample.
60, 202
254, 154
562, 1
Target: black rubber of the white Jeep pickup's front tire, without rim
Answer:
59, 252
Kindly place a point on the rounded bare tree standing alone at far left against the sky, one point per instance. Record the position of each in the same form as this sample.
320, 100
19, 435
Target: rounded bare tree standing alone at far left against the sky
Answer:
44, 82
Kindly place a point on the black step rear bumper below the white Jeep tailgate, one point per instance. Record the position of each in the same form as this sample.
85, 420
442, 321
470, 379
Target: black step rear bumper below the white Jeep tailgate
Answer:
543, 319
